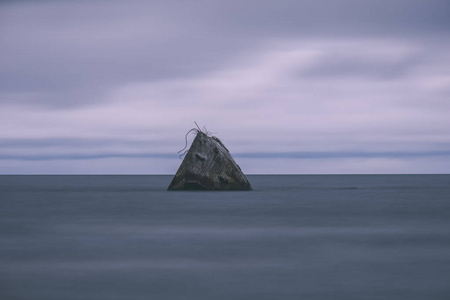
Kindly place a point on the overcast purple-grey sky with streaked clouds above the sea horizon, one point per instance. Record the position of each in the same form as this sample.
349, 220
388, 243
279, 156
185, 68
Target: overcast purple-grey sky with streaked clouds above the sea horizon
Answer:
290, 87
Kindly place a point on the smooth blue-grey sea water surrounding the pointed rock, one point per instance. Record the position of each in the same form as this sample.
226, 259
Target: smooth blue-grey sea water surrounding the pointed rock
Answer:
294, 237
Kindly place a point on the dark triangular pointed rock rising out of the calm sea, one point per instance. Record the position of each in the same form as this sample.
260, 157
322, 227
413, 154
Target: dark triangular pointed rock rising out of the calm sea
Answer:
209, 166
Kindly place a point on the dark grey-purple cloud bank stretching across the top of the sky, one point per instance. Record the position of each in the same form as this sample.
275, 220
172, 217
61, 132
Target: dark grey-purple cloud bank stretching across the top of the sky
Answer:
70, 53
